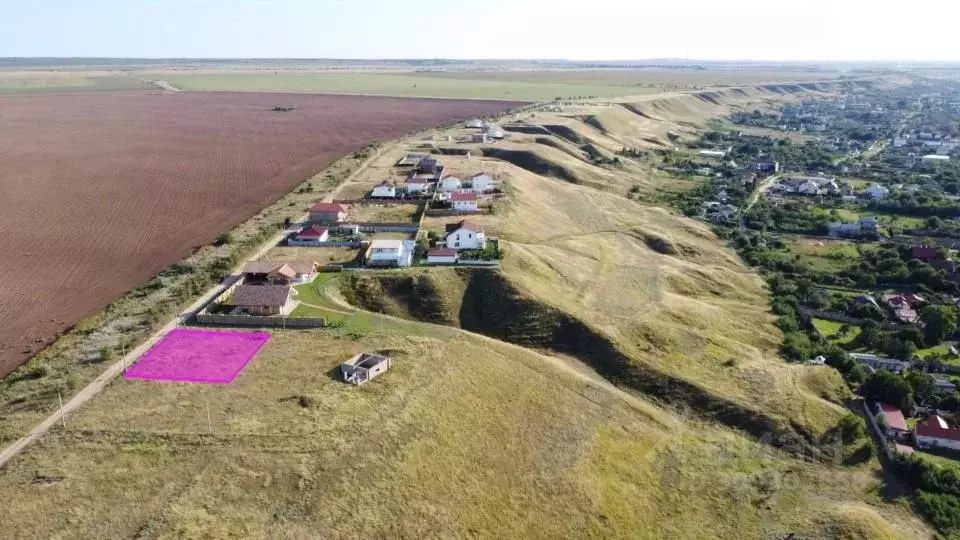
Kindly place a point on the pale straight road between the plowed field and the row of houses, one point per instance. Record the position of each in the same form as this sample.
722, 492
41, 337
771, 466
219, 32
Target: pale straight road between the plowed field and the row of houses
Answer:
120, 366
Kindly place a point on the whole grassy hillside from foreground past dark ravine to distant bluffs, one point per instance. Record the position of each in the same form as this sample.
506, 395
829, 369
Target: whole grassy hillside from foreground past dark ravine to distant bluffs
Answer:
617, 377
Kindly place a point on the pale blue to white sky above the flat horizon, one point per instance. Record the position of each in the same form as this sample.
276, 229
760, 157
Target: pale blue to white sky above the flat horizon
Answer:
801, 30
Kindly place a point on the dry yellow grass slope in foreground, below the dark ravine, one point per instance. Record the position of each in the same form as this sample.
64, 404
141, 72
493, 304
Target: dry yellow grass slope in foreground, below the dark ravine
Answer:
465, 436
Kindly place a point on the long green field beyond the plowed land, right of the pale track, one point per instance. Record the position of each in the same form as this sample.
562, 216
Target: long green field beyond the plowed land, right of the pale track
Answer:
398, 84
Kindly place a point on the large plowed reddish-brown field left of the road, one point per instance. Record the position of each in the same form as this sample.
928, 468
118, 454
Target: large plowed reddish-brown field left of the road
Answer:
101, 191
